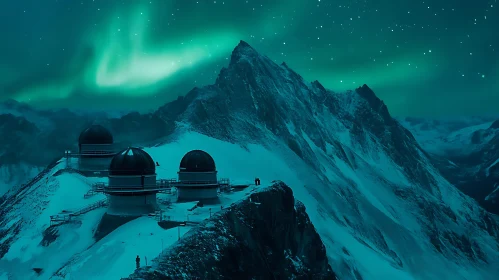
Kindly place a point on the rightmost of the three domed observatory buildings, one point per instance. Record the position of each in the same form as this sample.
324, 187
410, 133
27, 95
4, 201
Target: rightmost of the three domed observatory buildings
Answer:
197, 177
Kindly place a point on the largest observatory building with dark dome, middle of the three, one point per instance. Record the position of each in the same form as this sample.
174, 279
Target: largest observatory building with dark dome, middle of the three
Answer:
132, 184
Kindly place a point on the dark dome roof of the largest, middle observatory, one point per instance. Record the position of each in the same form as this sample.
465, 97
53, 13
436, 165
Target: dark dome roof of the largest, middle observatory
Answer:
132, 161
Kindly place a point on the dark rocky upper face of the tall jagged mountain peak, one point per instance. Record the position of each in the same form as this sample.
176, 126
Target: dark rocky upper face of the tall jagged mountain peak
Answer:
254, 95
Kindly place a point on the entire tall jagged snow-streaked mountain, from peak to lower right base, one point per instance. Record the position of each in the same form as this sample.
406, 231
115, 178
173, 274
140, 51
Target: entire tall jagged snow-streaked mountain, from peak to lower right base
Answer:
364, 171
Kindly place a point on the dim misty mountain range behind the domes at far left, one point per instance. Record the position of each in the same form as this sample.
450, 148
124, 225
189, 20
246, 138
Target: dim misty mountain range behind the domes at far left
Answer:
32, 138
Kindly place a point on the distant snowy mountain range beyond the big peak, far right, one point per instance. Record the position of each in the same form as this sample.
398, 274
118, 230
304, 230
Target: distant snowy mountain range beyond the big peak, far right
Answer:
466, 151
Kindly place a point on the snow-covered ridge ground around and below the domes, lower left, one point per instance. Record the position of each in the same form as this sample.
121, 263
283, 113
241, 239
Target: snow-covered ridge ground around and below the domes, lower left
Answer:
70, 250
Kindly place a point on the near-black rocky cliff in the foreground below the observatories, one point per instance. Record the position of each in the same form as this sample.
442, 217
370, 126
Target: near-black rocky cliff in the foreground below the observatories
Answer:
267, 236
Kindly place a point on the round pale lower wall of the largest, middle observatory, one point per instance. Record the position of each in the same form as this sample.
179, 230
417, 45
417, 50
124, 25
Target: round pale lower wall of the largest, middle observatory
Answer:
132, 205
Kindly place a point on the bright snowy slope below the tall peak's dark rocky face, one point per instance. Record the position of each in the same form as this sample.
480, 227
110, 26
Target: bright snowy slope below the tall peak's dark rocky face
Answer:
372, 221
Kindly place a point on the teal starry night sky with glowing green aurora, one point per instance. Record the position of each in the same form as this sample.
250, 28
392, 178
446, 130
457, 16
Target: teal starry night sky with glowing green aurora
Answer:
423, 58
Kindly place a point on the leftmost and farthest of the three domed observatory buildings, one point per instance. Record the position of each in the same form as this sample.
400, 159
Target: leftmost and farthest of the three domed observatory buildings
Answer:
95, 150
